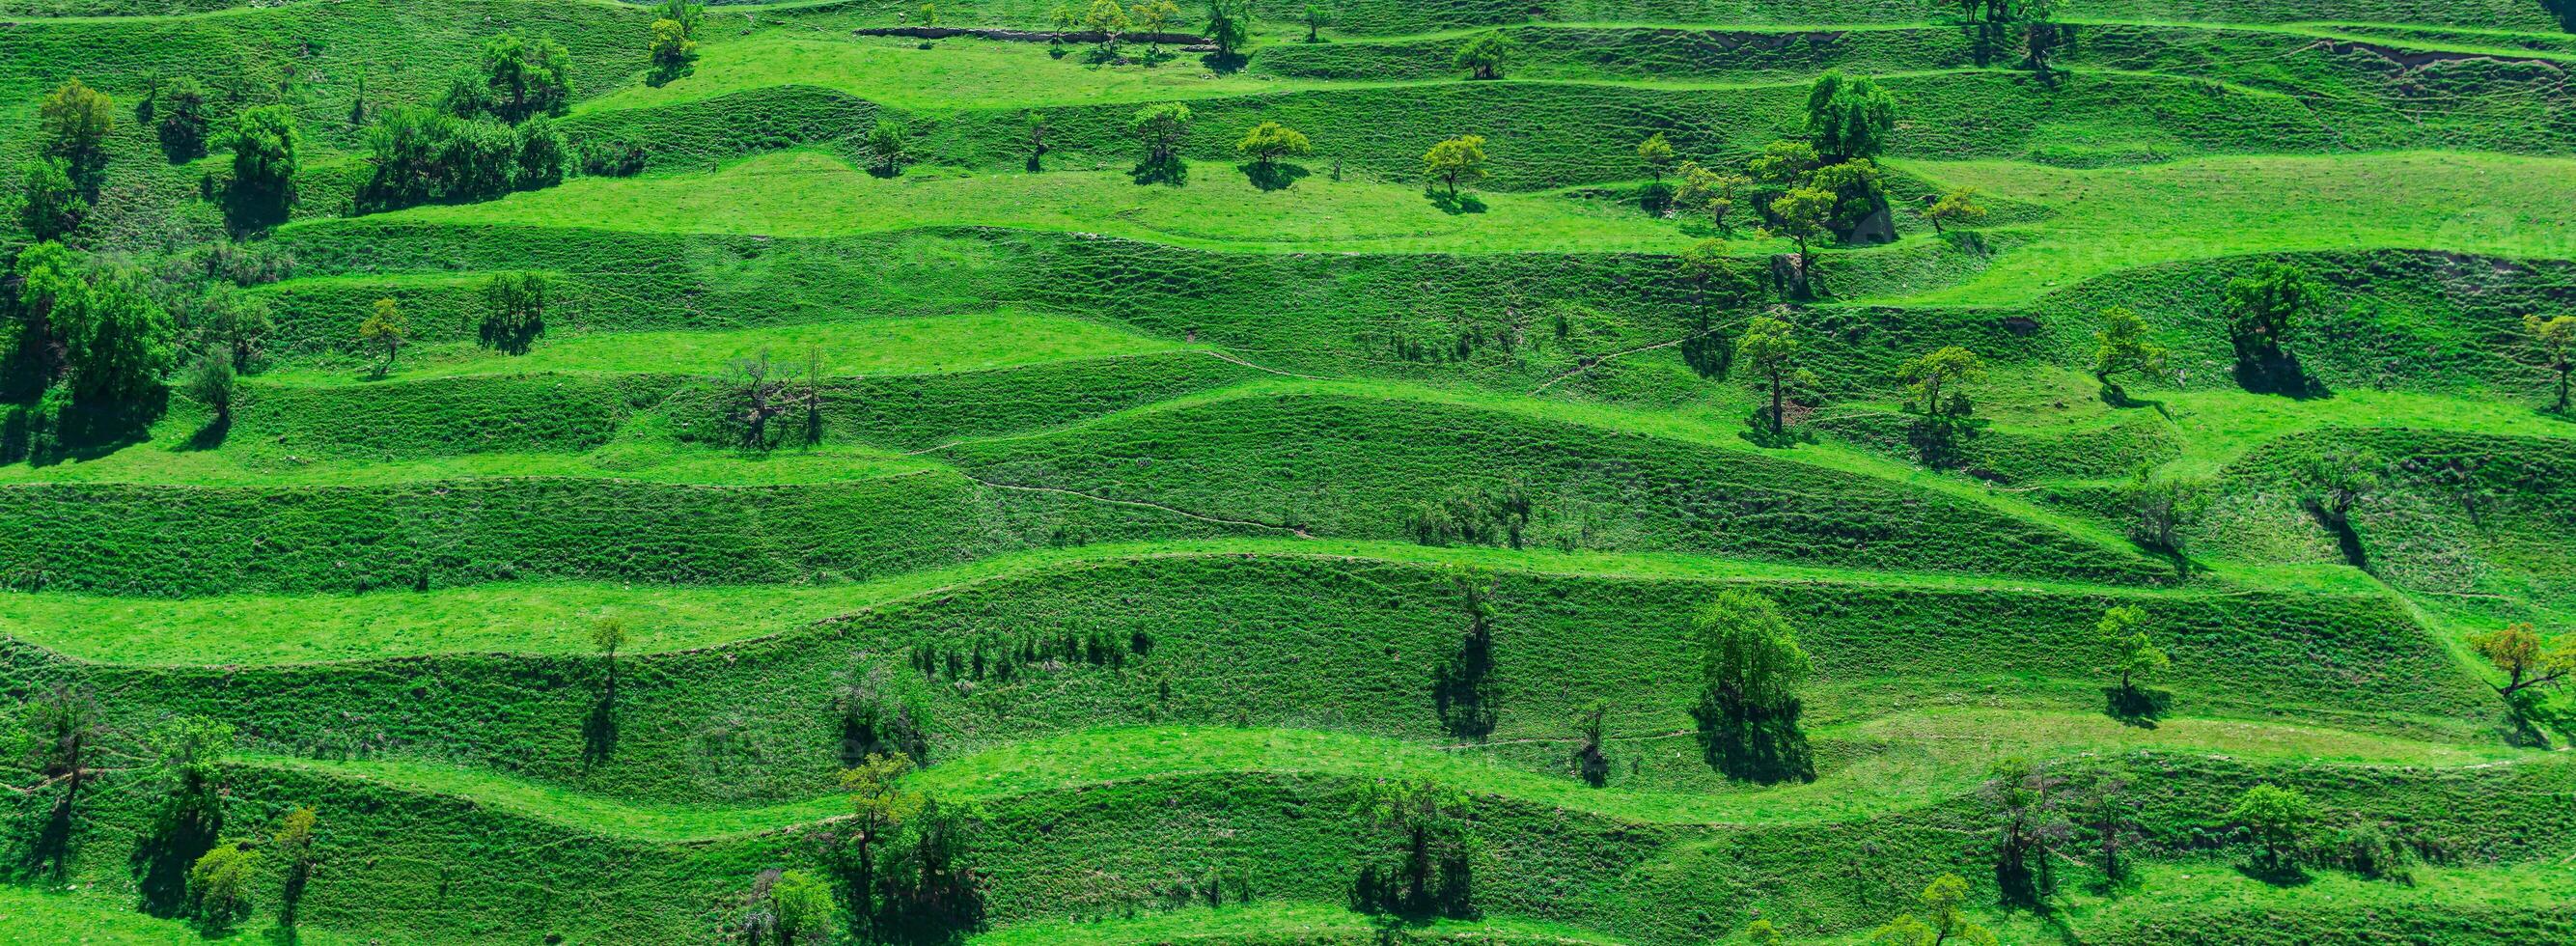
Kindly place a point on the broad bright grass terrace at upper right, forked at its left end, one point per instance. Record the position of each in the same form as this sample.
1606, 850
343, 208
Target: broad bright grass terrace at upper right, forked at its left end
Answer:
2124, 218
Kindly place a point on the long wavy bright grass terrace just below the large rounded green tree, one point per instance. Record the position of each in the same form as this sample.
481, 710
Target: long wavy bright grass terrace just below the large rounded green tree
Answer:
1915, 759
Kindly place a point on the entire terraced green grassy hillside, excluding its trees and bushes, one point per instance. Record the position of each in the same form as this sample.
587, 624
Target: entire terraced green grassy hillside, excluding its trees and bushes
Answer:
1078, 336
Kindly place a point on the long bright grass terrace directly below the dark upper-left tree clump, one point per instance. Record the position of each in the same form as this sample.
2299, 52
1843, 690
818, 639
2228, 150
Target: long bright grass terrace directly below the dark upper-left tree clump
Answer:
808, 195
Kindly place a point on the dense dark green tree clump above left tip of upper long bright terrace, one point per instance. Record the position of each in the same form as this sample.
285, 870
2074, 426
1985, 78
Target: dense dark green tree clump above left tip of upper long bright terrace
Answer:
488, 133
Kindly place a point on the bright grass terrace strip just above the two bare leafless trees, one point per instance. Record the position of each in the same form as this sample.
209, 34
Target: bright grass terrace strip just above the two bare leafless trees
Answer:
972, 342
